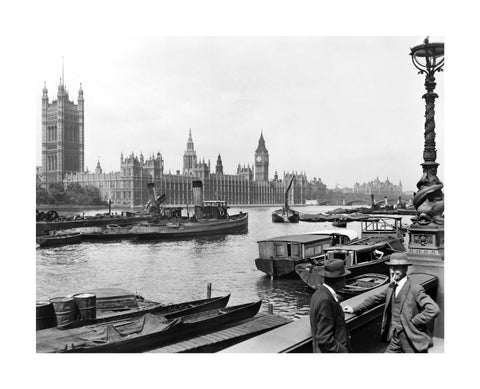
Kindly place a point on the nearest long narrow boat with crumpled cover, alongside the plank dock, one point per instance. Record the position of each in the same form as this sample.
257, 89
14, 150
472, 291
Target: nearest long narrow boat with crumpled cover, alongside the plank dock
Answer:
145, 333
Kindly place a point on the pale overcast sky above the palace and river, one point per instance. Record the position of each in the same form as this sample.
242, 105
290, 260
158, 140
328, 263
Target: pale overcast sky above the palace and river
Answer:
345, 109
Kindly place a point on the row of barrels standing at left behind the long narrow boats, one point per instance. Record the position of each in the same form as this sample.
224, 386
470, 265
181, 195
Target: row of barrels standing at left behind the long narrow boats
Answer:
61, 311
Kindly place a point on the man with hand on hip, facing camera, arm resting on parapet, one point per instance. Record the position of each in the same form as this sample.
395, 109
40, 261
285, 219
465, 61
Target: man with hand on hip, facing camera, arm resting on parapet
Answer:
408, 310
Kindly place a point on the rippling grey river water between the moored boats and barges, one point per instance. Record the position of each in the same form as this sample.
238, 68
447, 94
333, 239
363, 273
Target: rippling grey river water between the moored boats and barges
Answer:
179, 270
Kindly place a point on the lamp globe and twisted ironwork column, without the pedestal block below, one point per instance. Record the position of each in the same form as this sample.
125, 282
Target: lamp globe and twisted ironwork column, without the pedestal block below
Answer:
428, 58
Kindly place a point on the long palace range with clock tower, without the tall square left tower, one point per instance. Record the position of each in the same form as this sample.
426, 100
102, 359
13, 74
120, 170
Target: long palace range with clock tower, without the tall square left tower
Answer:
129, 186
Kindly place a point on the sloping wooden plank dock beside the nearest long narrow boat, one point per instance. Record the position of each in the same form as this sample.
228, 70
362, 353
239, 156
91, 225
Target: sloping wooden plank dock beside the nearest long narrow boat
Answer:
226, 337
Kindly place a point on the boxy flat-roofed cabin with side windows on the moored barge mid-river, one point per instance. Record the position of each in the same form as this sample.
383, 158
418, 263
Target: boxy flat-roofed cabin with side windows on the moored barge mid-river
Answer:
294, 247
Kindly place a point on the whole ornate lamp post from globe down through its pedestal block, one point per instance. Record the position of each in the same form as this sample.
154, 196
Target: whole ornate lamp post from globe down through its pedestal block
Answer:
427, 232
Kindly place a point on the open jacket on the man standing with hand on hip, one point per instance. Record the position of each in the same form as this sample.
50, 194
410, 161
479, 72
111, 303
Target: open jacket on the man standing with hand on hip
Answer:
416, 312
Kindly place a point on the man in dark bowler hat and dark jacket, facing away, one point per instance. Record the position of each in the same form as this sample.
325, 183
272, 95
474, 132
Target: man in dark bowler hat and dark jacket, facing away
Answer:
327, 320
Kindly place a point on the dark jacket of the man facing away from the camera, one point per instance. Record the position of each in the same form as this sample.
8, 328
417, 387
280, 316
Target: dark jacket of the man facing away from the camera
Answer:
327, 322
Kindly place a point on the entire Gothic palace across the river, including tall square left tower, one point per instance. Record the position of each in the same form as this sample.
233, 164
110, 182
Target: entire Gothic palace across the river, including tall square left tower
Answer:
63, 161
